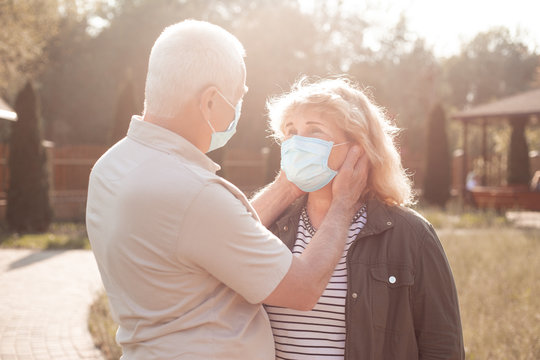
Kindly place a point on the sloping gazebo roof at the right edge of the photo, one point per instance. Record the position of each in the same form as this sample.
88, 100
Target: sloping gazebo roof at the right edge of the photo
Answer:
522, 104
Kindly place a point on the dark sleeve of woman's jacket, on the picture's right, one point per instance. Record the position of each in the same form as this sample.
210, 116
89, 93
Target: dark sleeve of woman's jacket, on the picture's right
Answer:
435, 304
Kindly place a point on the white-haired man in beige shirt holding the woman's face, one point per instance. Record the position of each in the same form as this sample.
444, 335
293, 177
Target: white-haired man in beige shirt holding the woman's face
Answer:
186, 260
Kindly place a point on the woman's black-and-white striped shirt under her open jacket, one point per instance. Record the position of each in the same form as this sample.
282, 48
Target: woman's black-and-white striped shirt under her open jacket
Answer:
320, 332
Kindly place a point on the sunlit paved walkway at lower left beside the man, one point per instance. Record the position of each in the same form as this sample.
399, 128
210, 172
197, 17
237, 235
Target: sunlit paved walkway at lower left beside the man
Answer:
44, 302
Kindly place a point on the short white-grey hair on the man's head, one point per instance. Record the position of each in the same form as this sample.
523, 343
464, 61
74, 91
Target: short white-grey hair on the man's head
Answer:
187, 57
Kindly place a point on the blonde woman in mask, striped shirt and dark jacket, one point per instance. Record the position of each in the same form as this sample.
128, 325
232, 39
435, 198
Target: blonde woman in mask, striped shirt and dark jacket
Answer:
392, 295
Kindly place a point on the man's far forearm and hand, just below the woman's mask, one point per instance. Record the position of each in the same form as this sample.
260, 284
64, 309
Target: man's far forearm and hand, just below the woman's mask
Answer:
273, 199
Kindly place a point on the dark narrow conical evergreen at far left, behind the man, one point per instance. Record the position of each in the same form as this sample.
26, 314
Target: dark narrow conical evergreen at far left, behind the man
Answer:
28, 208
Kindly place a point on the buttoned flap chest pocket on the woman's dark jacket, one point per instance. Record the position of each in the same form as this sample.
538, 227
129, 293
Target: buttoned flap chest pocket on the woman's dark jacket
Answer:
390, 304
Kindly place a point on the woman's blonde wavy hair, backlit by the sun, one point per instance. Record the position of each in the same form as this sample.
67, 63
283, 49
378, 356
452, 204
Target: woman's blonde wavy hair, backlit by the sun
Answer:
341, 101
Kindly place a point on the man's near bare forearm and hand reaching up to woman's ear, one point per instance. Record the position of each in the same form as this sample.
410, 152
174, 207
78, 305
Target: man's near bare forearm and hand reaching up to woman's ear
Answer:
309, 274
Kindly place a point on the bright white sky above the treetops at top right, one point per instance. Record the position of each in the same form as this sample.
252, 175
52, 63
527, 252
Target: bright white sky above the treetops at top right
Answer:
446, 24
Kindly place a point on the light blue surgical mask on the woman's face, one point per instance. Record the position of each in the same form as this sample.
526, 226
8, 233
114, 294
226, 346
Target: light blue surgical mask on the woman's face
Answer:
305, 162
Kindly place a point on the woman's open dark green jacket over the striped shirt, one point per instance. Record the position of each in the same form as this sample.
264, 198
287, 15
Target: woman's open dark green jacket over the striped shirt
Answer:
401, 299
